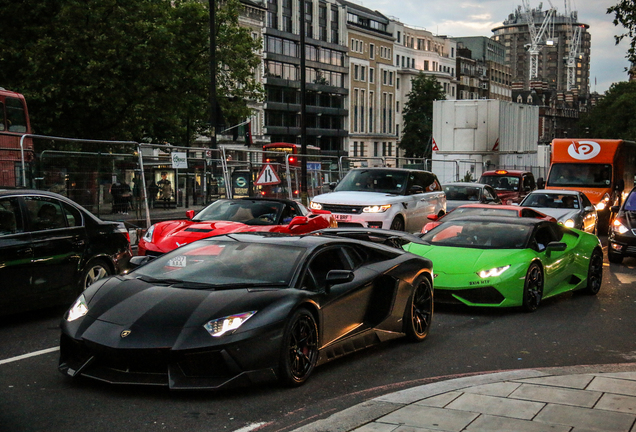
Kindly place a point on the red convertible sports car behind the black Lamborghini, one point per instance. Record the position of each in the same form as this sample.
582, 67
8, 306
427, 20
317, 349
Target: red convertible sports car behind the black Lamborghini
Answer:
234, 215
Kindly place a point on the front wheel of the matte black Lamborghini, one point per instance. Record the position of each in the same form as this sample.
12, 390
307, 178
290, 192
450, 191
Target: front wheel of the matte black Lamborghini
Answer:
300, 348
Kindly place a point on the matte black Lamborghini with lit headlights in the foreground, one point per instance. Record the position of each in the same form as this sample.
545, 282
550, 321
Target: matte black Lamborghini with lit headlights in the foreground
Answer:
246, 308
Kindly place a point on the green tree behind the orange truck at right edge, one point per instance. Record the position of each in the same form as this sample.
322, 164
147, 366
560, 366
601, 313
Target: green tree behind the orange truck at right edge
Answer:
613, 116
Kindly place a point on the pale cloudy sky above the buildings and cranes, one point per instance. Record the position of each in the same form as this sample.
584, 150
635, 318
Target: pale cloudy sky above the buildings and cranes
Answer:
479, 17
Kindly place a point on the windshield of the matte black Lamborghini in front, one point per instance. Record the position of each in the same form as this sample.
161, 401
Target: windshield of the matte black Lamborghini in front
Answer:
222, 263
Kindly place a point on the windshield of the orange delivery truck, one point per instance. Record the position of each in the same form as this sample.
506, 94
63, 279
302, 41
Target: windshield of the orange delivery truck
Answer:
580, 174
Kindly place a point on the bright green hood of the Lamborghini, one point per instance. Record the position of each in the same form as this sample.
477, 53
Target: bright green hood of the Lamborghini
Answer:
445, 259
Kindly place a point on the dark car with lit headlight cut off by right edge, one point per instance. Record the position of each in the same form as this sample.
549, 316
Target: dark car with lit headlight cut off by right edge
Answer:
621, 240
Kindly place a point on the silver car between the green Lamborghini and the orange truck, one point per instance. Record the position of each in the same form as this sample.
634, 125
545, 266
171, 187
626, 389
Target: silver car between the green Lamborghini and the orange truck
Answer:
572, 208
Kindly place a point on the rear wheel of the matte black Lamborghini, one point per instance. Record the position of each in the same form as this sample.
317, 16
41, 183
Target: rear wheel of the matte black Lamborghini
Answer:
419, 312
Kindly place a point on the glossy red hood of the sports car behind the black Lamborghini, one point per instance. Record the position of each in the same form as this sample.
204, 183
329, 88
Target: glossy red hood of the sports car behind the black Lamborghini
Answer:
171, 235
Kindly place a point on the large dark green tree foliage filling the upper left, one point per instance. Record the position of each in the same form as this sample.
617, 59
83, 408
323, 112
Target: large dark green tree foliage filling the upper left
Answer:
125, 70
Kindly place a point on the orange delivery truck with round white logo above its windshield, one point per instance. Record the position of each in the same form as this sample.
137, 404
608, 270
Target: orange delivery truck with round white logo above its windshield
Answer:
603, 169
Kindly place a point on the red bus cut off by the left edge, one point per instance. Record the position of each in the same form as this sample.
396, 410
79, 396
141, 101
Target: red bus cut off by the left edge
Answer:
14, 123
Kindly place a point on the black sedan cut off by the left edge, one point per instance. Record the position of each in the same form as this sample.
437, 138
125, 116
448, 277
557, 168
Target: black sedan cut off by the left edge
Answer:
51, 249
